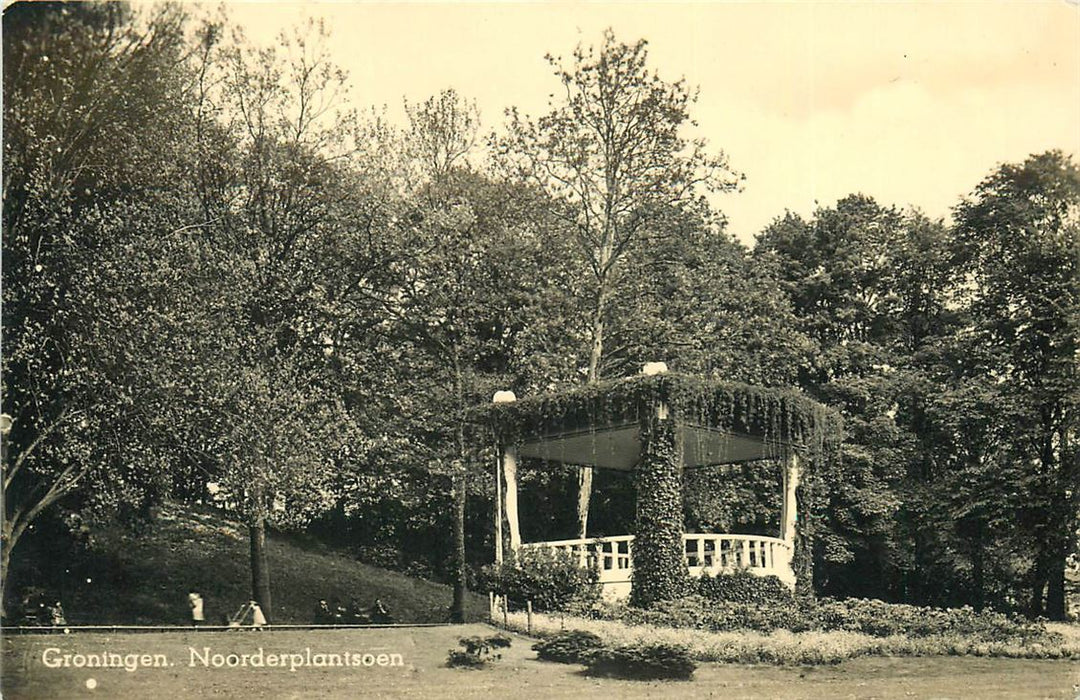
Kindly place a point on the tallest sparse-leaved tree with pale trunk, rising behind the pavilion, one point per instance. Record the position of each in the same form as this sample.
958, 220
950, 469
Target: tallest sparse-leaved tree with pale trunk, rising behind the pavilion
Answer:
613, 157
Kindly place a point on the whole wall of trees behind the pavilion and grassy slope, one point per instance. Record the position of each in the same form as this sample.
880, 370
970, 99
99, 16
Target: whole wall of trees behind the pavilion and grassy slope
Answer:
218, 271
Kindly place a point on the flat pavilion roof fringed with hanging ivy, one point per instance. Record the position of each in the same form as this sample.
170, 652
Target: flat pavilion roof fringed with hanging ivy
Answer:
717, 422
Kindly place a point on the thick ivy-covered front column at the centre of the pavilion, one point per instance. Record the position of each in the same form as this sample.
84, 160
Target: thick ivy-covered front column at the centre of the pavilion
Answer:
660, 572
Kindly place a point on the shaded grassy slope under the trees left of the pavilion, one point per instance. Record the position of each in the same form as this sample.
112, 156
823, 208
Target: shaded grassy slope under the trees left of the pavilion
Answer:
145, 580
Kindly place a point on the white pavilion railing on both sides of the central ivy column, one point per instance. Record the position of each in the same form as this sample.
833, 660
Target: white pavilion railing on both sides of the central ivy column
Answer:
705, 555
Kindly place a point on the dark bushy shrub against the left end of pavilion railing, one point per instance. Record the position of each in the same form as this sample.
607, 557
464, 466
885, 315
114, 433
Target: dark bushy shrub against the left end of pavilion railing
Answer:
551, 580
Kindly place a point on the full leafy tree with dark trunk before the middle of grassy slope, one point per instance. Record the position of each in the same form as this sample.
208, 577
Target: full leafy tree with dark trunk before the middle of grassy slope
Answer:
285, 263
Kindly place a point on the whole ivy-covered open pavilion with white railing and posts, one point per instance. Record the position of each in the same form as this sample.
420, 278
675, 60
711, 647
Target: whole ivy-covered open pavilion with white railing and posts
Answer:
657, 425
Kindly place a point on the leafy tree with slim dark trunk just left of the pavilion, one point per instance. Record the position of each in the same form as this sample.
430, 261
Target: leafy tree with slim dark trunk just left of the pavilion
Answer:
469, 265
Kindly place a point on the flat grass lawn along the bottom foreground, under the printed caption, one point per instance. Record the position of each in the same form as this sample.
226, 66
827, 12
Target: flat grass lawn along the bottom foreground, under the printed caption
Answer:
518, 675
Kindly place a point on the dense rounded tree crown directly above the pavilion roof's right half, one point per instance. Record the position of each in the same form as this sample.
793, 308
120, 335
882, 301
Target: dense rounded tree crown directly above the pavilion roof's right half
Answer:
696, 298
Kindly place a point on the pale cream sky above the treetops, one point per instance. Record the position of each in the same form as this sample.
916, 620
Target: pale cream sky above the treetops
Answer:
911, 103
